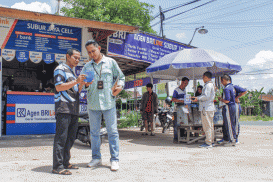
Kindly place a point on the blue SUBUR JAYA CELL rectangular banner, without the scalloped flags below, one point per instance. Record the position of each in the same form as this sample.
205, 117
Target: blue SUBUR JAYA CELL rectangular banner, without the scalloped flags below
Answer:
40, 37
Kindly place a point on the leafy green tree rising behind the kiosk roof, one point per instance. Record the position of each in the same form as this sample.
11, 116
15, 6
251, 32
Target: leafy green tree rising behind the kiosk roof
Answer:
128, 12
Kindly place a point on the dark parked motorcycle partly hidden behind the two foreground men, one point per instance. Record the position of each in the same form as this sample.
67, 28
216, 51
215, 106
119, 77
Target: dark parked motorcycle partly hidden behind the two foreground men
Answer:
83, 133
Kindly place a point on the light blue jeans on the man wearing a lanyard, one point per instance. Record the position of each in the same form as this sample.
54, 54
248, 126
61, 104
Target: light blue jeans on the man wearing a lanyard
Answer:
110, 117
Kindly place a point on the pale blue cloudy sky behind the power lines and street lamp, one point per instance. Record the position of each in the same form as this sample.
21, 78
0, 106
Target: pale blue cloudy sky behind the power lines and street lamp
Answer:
239, 29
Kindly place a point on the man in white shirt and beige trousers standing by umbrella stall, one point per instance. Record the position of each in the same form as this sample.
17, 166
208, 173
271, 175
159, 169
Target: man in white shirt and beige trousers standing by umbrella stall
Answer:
207, 109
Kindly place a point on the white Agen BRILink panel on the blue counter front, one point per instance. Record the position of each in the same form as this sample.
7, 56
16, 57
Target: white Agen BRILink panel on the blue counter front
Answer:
35, 113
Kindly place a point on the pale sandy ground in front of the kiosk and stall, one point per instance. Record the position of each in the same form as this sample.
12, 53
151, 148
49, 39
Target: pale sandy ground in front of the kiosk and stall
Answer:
145, 159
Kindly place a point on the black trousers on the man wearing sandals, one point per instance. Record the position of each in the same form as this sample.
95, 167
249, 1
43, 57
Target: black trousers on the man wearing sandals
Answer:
66, 130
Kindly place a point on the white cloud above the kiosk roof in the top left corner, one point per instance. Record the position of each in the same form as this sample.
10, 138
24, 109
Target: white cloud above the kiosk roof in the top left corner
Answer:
34, 6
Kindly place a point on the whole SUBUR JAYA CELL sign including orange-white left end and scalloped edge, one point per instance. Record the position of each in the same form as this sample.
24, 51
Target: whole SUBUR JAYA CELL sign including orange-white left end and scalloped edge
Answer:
37, 38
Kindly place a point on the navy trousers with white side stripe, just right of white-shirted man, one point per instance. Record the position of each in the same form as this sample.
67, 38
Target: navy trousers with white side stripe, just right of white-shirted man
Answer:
229, 123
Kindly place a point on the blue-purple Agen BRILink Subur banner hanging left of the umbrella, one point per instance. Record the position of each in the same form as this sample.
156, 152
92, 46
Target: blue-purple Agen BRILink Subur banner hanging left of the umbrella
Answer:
141, 47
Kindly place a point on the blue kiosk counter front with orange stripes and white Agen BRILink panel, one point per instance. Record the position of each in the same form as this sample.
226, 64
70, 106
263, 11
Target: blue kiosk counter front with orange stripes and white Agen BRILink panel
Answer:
24, 116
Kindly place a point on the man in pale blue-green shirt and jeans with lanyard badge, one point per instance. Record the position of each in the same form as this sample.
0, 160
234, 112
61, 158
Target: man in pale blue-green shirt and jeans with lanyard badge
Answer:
101, 100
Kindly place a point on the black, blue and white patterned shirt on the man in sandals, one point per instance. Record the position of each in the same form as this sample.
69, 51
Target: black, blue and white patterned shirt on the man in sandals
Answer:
66, 102
